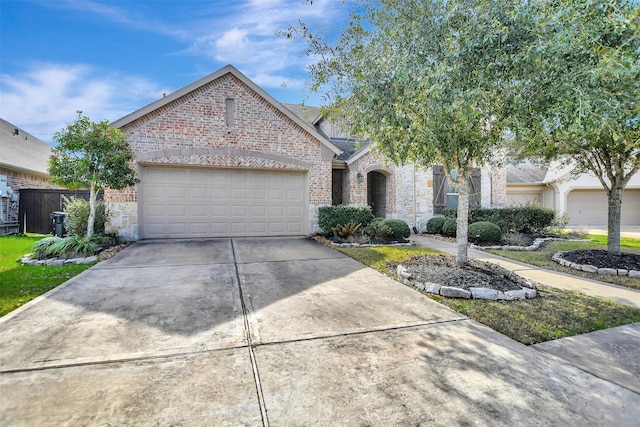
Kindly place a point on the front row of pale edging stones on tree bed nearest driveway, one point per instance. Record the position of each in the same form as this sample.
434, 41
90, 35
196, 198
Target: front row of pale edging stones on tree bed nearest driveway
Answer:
455, 292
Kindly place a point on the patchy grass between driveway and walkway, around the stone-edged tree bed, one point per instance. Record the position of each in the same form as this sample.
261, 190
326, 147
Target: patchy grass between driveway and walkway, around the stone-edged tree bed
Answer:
554, 314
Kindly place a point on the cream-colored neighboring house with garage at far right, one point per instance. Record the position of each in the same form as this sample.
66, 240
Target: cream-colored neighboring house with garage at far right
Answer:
582, 198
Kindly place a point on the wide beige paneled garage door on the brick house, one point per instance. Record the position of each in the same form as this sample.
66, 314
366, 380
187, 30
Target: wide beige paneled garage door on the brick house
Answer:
202, 202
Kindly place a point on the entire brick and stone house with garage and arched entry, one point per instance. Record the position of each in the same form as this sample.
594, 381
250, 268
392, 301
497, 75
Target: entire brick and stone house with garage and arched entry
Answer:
221, 157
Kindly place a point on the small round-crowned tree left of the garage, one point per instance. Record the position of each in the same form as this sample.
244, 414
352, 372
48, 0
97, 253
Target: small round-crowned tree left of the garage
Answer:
91, 155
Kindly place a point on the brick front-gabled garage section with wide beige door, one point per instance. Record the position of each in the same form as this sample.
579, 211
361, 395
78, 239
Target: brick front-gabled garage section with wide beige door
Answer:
221, 158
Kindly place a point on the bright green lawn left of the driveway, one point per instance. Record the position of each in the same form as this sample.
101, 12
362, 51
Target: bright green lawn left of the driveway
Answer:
20, 283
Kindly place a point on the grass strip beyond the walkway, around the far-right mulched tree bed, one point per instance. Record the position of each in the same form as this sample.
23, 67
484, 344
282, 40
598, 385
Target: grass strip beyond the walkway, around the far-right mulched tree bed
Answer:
542, 257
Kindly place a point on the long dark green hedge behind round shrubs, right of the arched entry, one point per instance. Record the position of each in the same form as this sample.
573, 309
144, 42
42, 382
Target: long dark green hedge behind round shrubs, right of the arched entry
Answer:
519, 219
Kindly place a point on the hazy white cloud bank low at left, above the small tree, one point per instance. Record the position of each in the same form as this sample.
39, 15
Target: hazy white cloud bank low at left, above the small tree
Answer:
45, 97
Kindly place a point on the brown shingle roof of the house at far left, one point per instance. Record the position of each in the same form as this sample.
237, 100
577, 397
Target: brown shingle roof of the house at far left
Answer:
22, 151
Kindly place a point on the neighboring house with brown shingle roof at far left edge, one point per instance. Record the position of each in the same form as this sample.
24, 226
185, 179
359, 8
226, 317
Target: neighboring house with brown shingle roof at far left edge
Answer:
23, 165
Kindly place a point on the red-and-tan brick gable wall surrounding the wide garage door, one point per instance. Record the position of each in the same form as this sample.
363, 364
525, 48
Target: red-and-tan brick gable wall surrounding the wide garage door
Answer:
193, 130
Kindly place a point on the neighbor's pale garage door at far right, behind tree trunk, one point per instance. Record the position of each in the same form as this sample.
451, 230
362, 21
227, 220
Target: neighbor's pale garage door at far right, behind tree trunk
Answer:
589, 207
